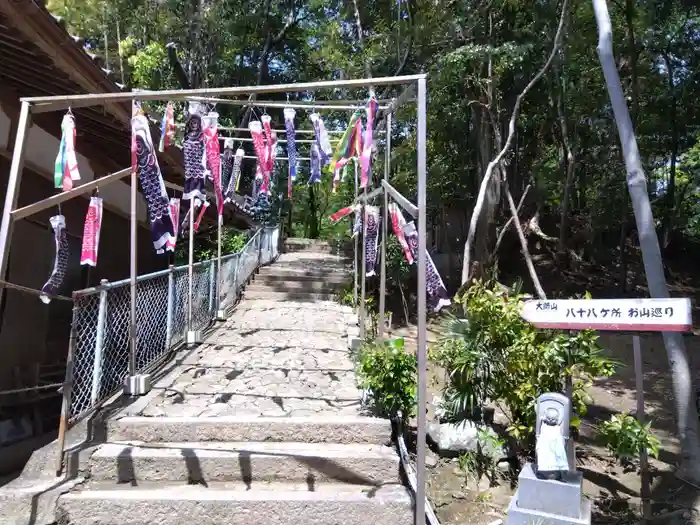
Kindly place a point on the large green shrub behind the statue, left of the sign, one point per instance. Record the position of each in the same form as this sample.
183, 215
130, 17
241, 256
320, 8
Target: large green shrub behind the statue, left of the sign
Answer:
493, 354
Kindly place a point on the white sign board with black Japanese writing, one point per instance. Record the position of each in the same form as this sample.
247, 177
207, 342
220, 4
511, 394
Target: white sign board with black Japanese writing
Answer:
633, 315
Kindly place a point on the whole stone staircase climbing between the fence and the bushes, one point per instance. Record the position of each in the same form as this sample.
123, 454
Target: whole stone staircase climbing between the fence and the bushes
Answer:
261, 424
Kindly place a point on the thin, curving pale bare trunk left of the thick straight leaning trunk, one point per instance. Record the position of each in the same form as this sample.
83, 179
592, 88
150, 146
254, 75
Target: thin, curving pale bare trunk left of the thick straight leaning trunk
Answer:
506, 148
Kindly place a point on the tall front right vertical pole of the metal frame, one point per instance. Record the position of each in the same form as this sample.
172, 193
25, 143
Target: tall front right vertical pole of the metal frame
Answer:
422, 354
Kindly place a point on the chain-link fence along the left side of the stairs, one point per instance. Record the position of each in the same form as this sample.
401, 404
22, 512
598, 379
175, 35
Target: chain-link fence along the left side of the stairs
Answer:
101, 318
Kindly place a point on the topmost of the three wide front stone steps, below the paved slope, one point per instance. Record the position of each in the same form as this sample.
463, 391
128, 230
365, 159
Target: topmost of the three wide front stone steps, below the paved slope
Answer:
340, 429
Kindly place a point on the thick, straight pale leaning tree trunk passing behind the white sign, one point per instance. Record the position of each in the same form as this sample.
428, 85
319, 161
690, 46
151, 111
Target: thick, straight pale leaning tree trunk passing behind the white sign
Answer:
687, 419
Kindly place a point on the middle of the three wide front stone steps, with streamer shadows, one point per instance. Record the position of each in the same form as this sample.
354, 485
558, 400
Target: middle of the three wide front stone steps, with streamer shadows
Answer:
251, 462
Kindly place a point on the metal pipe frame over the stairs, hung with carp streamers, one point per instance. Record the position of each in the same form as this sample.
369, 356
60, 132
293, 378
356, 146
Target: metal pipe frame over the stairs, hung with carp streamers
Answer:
415, 84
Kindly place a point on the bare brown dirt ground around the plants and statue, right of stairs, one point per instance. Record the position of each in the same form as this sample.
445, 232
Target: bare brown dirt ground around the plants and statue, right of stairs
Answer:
614, 490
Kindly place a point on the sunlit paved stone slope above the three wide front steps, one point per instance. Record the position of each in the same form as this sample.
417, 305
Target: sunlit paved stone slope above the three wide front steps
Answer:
272, 358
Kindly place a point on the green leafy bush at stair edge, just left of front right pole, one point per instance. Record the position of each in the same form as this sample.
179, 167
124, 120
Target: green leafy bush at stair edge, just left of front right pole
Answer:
389, 374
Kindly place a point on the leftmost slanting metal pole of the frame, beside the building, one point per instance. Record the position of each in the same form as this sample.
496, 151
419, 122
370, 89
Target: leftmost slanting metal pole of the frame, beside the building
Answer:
13, 185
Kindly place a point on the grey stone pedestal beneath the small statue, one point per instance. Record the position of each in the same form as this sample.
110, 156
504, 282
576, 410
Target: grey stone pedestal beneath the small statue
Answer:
549, 501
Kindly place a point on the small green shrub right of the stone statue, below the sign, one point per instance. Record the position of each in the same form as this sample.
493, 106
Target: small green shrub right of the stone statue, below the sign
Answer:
625, 437
